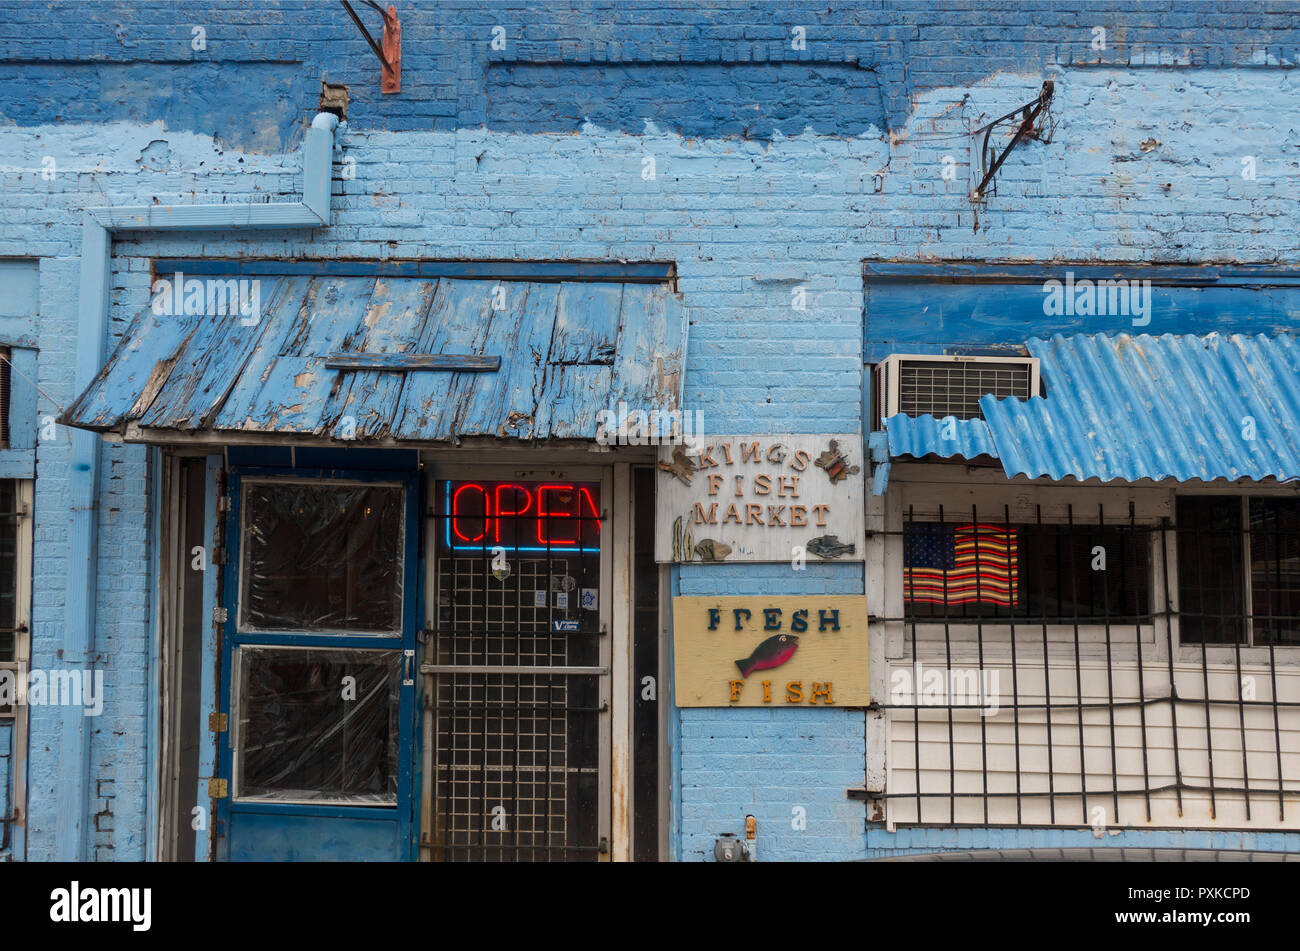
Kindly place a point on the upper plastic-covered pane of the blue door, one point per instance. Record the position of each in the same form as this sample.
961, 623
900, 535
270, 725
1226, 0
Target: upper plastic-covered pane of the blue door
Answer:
322, 558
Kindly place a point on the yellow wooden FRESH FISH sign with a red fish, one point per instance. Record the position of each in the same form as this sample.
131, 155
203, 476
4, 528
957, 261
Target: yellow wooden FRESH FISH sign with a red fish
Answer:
772, 652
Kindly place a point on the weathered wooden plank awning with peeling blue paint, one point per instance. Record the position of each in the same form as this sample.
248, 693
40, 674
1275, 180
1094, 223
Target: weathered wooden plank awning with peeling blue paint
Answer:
301, 367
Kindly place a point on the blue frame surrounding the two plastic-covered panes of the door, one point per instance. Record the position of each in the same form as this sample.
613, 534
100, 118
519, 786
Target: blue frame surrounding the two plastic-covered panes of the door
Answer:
413, 613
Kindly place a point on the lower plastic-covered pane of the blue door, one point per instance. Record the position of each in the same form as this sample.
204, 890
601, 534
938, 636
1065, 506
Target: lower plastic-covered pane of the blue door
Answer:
318, 726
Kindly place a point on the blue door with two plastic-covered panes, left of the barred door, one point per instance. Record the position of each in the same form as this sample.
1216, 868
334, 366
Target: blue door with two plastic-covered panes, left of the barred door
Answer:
318, 679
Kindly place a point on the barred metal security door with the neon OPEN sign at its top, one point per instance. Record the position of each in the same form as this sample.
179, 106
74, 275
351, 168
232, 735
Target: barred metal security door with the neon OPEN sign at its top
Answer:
517, 688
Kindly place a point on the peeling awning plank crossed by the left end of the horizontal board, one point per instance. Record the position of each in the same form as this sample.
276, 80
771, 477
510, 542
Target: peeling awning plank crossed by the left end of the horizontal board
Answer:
363, 402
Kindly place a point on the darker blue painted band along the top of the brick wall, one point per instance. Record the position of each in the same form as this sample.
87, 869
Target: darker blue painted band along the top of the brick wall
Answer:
70, 62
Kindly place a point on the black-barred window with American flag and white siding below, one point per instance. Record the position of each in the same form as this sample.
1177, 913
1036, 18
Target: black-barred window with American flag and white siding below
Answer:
1211, 694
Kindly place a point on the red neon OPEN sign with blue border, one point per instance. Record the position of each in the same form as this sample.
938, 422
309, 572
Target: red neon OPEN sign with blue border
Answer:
522, 516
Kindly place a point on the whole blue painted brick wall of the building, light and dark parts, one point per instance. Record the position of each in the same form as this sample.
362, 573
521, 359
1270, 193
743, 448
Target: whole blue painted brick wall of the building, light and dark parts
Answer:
463, 164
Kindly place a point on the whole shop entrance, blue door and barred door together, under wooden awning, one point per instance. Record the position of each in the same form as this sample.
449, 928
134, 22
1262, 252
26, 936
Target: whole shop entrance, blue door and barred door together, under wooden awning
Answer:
423, 665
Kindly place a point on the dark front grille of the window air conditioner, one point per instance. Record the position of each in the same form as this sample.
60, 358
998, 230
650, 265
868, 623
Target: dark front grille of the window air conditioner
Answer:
955, 388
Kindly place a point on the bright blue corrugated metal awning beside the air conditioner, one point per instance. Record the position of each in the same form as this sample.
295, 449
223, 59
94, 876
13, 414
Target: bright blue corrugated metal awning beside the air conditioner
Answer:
1141, 409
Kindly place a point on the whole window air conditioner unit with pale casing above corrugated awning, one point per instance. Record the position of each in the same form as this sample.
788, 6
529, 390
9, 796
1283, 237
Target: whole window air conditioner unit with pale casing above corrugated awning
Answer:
943, 387
